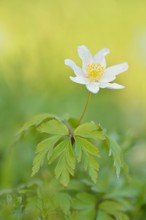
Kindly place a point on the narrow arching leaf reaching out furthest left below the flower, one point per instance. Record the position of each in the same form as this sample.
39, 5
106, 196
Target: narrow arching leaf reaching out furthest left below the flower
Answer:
37, 120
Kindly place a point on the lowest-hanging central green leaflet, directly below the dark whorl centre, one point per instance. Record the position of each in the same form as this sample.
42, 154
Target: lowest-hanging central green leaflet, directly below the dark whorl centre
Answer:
66, 161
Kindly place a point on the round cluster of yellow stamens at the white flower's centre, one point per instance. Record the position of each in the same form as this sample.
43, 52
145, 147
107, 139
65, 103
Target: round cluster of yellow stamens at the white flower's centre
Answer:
95, 72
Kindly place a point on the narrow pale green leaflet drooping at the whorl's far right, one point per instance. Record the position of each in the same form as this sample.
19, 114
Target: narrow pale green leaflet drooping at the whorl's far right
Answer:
116, 152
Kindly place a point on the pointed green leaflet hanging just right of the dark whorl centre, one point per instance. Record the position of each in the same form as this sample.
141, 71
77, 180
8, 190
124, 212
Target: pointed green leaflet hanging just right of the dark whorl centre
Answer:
90, 153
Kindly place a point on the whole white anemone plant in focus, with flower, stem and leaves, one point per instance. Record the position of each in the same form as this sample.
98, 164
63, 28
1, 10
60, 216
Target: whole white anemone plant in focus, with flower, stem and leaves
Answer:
70, 144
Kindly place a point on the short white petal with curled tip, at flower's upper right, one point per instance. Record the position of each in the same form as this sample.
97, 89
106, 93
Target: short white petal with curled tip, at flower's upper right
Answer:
99, 57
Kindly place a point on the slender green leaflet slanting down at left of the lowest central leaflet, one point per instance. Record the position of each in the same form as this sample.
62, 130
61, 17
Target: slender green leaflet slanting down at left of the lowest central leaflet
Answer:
42, 149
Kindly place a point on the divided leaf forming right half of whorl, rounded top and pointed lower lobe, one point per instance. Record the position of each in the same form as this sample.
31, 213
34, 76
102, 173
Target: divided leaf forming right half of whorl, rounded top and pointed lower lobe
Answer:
86, 150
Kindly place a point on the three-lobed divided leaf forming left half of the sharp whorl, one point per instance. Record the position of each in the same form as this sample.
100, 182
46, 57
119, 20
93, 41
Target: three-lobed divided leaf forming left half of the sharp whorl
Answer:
61, 150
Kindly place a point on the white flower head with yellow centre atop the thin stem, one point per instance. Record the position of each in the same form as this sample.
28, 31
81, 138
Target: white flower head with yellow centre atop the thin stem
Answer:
94, 74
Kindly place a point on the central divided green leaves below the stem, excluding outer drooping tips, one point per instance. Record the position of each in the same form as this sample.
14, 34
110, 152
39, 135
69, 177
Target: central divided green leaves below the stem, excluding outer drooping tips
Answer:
66, 148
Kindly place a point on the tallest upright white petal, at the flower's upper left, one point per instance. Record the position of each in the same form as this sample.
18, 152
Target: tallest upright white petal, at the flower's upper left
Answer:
85, 56
